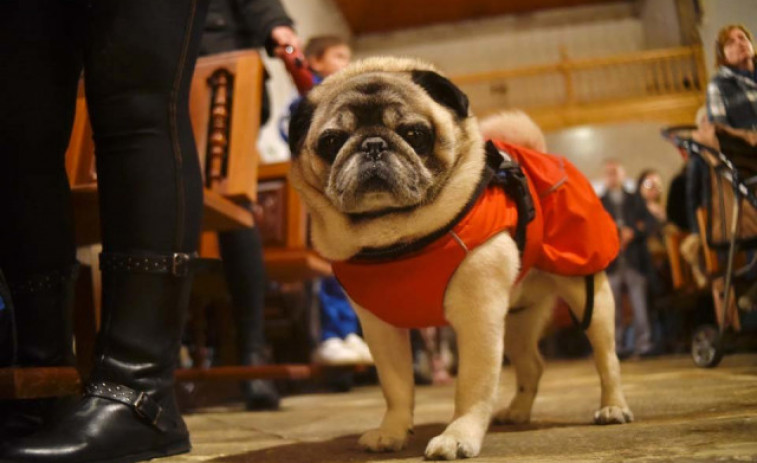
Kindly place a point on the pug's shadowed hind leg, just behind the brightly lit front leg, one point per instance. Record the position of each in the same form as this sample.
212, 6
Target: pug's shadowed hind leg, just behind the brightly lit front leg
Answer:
523, 328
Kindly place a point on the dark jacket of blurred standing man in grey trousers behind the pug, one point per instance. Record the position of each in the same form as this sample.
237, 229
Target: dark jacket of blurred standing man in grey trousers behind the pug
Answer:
634, 214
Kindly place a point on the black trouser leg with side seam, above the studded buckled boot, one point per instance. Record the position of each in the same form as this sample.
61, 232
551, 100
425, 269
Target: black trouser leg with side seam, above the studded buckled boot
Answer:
139, 59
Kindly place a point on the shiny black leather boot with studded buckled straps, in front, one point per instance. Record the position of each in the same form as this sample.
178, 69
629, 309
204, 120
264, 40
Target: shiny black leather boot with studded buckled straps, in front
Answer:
128, 412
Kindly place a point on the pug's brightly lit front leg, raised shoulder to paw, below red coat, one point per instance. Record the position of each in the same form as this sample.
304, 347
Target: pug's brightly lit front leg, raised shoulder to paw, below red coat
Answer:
476, 304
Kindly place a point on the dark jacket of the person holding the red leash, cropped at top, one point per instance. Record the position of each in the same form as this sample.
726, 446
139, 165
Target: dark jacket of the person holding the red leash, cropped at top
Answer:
238, 24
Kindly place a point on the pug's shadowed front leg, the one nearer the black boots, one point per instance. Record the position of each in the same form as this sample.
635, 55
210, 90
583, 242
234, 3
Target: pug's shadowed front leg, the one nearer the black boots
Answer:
390, 348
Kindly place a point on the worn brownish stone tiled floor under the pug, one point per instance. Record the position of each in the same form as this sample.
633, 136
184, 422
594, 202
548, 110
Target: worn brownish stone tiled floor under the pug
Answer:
683, 413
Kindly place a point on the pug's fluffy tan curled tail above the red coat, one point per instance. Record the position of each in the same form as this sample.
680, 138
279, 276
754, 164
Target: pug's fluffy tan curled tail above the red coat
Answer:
513, 126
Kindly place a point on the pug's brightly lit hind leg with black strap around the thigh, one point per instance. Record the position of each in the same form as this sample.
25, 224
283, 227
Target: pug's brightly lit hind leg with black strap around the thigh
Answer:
601, 333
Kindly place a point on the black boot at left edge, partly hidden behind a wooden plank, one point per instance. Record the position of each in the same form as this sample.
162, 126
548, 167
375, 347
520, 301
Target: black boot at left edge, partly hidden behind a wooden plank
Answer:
39, 312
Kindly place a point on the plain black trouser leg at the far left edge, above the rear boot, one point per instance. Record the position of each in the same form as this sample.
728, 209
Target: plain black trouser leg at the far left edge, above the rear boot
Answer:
41, 61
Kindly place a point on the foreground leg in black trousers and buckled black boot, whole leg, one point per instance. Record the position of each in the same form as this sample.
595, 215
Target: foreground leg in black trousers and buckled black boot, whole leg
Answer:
139, 57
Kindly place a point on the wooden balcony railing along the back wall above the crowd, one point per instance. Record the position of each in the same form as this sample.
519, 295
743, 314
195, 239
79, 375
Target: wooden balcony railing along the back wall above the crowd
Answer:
574, 82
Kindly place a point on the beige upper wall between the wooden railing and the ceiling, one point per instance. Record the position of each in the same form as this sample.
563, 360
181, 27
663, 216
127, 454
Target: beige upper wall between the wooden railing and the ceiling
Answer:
514, 40
